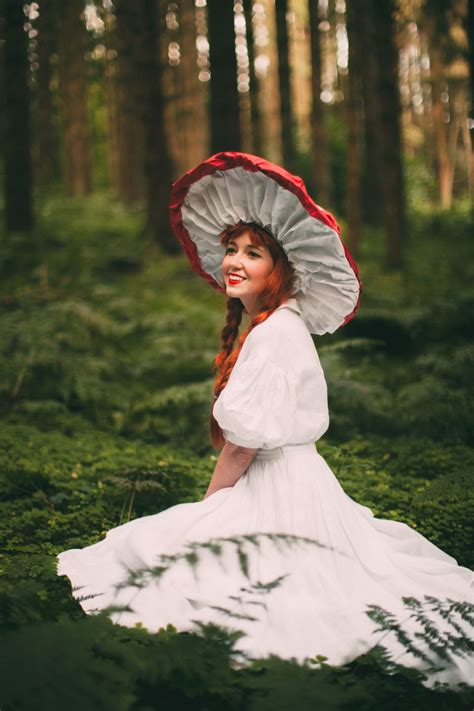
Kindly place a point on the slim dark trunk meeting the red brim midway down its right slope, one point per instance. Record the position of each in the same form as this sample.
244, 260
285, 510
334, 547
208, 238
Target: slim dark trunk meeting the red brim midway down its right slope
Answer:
319, 138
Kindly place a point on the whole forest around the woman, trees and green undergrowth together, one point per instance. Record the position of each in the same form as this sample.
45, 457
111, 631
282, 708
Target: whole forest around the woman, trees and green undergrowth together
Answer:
107, 338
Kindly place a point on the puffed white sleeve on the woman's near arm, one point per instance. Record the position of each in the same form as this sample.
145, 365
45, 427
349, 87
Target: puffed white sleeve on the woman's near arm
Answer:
257, 406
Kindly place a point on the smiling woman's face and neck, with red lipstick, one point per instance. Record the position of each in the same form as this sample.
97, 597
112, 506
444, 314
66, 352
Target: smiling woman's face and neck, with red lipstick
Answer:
245, 269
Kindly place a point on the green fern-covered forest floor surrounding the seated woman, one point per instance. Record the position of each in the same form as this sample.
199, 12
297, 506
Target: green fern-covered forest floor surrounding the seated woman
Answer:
105, 390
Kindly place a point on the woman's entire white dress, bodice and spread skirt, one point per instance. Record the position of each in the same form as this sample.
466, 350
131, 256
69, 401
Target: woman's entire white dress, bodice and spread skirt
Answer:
300, 586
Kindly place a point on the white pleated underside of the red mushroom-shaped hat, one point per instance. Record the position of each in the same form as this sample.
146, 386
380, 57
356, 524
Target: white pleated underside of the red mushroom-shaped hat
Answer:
327, 288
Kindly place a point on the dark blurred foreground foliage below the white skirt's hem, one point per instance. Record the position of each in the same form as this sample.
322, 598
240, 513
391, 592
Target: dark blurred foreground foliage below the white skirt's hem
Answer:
96, 665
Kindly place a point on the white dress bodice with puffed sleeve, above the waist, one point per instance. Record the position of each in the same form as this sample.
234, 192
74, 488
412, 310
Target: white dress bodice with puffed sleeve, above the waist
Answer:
276, 393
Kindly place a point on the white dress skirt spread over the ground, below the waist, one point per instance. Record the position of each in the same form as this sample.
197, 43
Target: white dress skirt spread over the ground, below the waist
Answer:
288, 558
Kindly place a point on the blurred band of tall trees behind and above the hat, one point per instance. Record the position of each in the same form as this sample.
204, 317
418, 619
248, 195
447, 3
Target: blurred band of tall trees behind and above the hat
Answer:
368, 101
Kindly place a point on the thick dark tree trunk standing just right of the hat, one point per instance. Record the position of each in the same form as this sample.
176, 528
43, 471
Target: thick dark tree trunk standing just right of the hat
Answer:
390, 131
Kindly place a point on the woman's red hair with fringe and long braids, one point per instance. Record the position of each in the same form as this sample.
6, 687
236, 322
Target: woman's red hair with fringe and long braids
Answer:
278, 289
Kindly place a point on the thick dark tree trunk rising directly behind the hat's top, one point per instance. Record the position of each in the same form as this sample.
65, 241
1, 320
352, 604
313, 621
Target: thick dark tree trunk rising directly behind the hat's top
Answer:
224, 103
